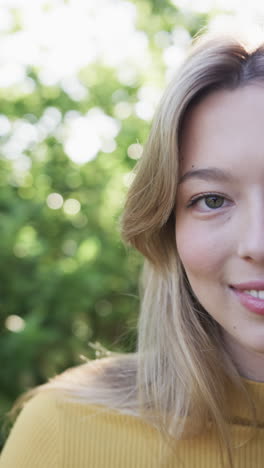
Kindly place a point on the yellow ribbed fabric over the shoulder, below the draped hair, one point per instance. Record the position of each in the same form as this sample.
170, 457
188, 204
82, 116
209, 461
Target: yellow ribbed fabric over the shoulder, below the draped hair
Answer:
56, 429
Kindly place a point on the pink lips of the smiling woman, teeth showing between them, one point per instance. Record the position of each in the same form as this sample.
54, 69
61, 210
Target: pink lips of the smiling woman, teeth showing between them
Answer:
253, 304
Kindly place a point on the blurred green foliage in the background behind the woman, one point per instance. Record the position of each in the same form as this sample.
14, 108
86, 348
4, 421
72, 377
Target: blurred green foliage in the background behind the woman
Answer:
65, 278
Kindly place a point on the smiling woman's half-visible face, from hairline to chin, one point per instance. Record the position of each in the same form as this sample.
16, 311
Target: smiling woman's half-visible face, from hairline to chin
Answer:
220, 217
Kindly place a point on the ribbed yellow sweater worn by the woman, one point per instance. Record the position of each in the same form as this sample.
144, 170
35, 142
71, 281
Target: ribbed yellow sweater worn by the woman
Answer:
53, 433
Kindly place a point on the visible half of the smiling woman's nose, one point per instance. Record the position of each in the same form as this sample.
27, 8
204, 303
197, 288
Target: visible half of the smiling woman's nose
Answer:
251, 237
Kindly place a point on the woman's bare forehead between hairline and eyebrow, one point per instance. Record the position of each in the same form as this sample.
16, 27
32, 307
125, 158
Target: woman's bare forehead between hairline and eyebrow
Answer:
225, 129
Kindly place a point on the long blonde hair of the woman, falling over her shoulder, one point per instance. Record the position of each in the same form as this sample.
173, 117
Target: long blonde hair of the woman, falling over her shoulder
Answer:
181, 370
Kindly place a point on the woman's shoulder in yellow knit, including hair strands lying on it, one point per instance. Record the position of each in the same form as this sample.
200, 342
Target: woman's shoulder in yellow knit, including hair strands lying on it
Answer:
69, 423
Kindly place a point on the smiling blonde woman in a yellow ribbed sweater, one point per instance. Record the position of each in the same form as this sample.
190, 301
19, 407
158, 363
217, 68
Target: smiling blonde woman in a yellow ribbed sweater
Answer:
193, 394
